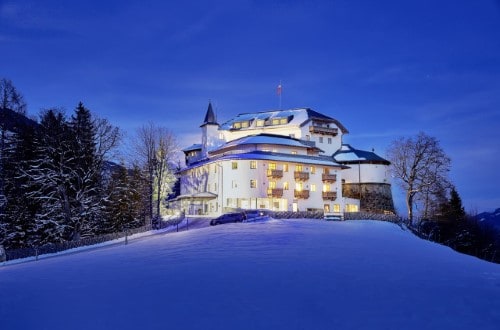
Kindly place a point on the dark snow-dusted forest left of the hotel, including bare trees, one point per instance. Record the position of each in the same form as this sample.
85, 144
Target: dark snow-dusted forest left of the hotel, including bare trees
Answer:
57, 182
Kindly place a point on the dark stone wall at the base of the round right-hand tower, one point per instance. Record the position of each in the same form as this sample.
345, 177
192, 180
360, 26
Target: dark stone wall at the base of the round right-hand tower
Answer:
375, 197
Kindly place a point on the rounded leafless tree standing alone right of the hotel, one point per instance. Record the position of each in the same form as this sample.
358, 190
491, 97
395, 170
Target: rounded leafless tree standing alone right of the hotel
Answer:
420, 166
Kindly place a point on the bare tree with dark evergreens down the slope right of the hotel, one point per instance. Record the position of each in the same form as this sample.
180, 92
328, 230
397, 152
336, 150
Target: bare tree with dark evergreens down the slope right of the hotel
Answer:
420, 166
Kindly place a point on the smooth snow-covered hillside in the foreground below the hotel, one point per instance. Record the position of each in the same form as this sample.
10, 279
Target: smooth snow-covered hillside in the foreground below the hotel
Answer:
279, 274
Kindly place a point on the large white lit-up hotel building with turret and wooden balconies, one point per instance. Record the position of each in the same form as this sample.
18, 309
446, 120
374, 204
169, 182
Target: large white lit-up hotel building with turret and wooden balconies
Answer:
281, 160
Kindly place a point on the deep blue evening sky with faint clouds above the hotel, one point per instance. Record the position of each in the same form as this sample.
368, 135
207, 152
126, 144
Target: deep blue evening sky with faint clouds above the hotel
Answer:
384, 68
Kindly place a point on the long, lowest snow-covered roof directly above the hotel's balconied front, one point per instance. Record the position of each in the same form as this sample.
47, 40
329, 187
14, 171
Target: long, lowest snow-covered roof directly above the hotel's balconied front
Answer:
272, 156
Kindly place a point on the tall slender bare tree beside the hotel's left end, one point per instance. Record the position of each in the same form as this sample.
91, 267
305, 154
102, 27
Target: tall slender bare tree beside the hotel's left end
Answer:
154, 149
